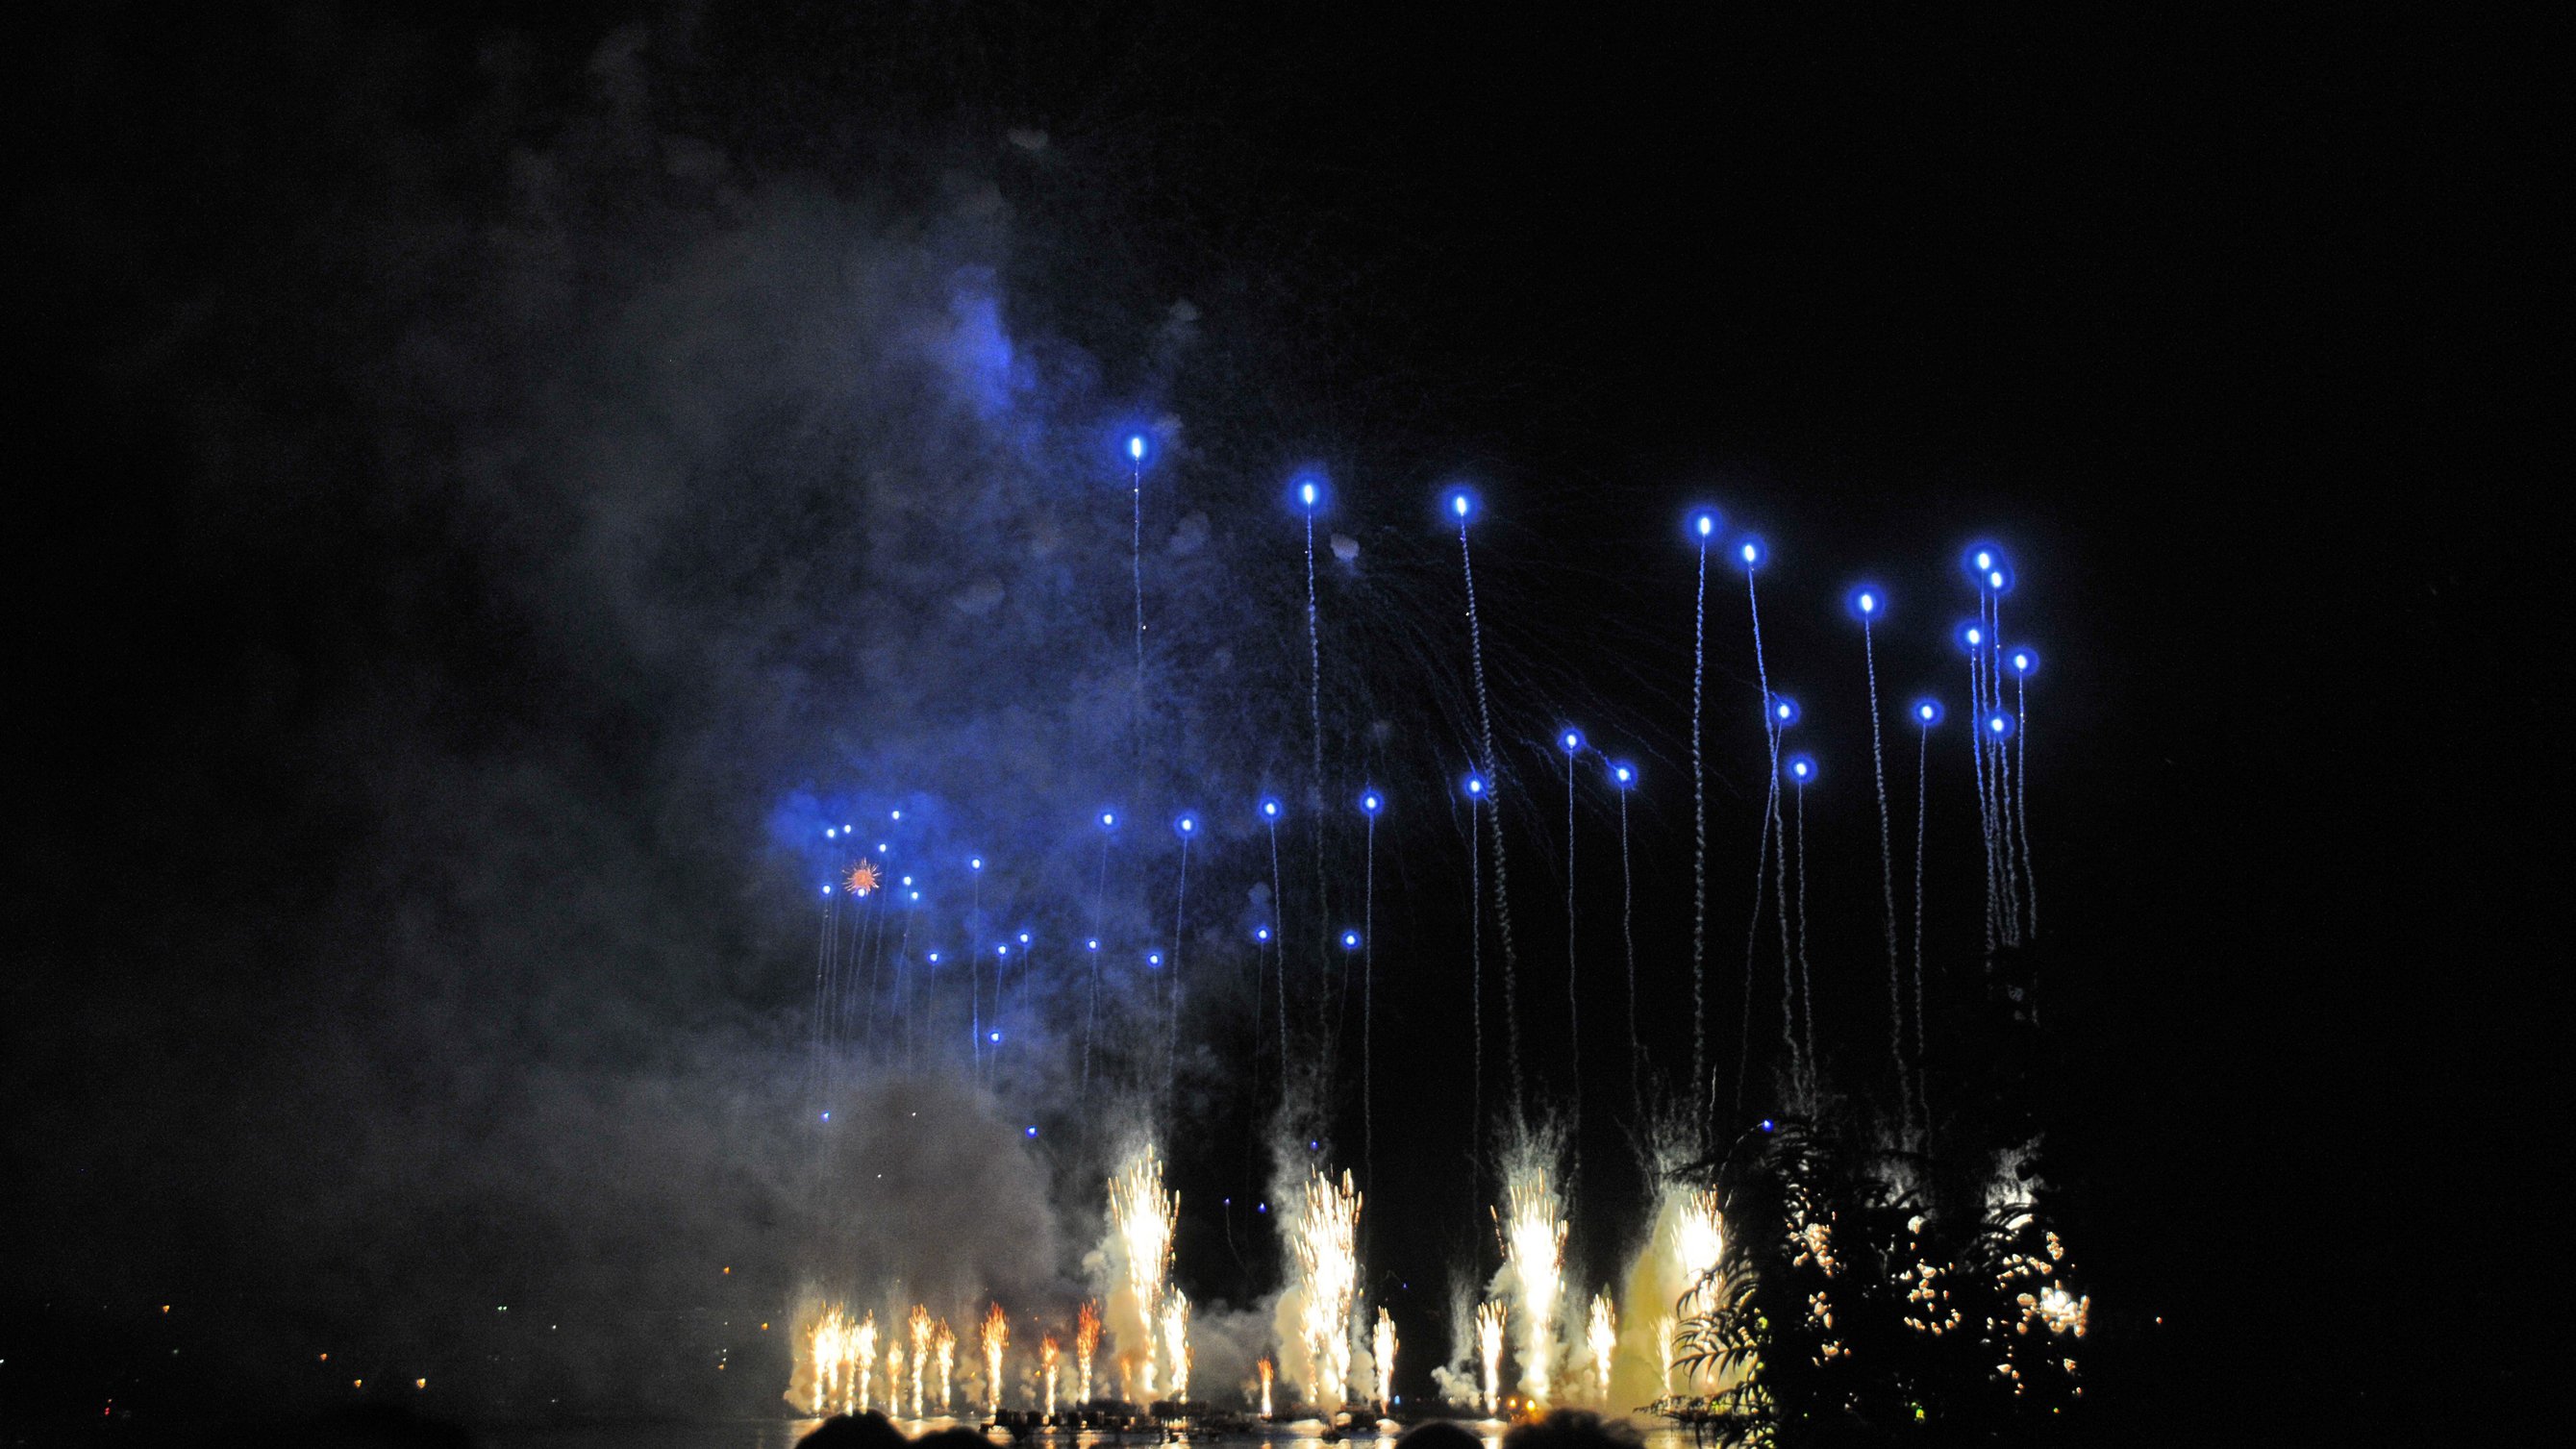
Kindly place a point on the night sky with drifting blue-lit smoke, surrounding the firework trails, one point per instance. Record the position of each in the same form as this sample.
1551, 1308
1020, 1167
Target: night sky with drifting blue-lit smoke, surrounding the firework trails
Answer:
488, 490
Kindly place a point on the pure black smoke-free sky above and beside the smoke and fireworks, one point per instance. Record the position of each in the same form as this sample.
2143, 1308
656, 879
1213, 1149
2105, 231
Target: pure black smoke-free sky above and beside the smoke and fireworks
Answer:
2237, 328
